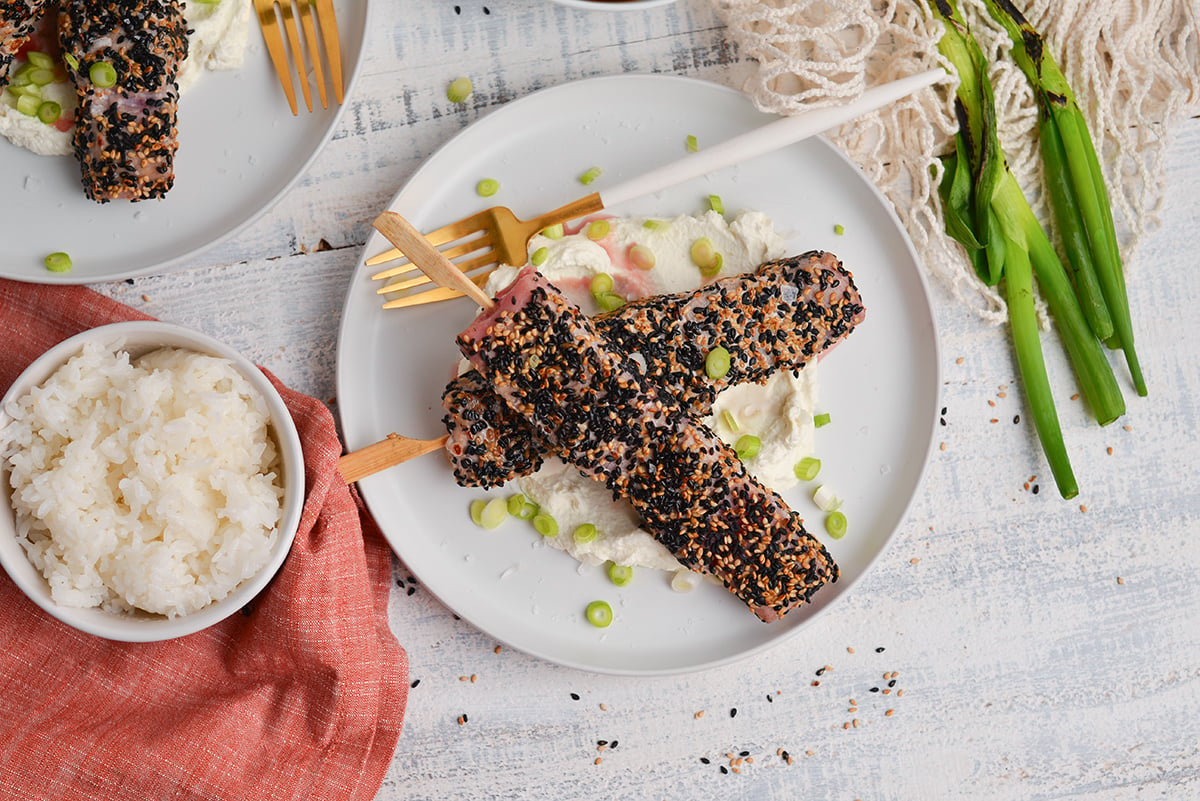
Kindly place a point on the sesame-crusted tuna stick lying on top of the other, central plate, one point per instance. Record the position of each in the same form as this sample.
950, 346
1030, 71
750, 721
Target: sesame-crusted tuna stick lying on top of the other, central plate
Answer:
548, 362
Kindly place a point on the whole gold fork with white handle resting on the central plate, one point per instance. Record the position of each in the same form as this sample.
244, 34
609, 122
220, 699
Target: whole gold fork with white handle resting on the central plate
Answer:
479, 243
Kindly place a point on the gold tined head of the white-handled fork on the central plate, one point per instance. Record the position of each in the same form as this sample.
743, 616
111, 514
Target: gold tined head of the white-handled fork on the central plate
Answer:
479, 243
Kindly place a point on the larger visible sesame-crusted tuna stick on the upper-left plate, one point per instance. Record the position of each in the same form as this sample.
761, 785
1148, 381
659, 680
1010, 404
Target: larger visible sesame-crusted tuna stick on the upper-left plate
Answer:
125, 136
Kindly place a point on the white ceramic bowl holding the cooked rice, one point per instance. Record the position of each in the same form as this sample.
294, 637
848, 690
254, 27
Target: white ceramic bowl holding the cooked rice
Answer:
141, 338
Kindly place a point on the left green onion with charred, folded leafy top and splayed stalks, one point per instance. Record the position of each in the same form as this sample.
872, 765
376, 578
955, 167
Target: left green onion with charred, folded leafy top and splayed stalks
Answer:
987, 212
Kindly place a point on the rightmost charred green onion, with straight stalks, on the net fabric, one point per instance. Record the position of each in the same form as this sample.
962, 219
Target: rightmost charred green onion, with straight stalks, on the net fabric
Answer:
1076, 185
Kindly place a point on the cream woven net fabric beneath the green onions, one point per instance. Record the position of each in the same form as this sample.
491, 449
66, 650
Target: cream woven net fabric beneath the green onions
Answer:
1135, 67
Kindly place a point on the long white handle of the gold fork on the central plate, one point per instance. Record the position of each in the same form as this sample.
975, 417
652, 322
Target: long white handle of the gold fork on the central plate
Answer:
767, 138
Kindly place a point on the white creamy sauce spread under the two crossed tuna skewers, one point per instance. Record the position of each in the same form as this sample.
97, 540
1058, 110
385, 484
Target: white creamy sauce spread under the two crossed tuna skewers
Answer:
779, 412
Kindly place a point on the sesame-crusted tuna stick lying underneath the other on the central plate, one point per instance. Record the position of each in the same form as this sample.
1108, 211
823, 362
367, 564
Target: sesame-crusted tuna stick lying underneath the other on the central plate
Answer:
779, 317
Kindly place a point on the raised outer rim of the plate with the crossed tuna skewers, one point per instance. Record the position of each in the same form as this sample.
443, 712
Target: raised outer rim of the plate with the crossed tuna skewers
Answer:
346, 354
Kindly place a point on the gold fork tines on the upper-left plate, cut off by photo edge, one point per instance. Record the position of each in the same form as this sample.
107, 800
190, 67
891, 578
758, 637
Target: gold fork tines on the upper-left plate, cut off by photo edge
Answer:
275, 14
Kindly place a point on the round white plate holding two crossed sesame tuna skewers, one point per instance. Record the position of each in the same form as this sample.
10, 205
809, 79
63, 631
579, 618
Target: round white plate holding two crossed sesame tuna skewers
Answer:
880, 387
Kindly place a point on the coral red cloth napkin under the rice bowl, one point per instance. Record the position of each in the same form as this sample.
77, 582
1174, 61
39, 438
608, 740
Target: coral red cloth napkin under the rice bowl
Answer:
299, 697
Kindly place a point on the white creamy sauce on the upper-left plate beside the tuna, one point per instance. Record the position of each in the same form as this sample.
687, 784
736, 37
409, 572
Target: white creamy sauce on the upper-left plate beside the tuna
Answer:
219, 38
